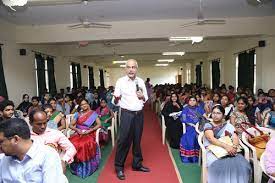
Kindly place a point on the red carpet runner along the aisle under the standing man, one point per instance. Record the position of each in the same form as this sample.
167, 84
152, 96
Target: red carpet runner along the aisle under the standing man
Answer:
155, 156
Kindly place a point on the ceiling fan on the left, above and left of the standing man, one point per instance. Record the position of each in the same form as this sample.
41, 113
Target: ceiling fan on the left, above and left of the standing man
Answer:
85, 23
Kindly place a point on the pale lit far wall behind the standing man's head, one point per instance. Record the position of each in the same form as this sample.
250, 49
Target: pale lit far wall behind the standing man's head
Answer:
157, 75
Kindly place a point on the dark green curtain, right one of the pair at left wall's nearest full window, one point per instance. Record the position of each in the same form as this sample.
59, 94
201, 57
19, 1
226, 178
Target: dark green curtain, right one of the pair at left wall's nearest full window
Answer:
51, 77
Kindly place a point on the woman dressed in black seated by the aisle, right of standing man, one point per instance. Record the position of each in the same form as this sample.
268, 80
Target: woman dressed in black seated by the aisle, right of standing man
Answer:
173, 126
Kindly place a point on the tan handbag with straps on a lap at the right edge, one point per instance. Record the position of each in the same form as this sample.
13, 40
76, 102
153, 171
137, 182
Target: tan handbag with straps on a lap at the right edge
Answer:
258, 141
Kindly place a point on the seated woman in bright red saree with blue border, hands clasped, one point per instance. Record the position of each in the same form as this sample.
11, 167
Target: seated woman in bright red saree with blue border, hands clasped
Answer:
85, 123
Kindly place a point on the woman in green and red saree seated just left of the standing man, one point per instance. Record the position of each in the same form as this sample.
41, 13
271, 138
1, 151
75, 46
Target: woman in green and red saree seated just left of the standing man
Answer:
105, 115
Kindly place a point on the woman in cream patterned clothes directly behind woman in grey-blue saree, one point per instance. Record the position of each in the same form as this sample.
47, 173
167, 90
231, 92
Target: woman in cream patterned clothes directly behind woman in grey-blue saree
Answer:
239, 117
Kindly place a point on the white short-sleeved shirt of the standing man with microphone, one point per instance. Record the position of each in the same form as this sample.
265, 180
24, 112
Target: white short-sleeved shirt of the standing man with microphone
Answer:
126, 88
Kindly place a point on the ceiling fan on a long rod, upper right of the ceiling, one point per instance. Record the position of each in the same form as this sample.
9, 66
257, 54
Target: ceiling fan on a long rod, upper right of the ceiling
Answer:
202, 21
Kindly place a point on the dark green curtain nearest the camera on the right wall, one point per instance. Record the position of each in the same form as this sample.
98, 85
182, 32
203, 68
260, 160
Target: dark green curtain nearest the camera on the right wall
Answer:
246, 69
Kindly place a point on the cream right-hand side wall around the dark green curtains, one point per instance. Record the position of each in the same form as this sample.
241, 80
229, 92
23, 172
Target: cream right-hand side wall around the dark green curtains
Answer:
265, 57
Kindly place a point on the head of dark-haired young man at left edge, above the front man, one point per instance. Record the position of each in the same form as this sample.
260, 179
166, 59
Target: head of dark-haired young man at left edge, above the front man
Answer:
6, 110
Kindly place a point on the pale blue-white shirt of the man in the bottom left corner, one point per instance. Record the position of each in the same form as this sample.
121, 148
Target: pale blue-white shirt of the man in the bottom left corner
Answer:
41, 164
